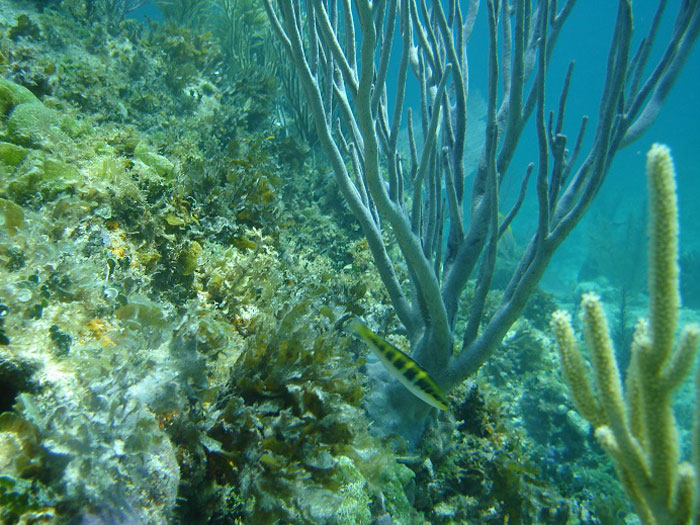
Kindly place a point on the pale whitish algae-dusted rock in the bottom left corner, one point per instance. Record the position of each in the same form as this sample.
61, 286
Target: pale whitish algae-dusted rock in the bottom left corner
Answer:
106, 453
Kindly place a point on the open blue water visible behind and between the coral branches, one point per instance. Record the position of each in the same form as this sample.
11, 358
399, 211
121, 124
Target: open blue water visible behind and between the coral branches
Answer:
585, 39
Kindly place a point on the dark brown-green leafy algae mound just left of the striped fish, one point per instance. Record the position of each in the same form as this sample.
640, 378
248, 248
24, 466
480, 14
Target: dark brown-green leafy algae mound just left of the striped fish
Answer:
292, 431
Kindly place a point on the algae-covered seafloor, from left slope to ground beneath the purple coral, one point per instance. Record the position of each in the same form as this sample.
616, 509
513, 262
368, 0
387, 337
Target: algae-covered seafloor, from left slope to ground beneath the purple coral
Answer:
174, 258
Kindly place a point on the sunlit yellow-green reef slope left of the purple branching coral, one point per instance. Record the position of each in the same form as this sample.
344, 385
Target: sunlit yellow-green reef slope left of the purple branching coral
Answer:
141, 348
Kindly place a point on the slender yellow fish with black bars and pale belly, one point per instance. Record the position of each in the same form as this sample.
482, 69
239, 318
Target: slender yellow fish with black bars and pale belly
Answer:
401, 366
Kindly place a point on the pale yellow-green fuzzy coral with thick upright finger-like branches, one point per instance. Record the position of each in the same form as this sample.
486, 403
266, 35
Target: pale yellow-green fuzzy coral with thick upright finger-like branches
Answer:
637, 427
